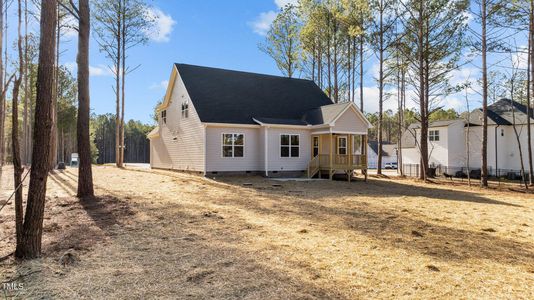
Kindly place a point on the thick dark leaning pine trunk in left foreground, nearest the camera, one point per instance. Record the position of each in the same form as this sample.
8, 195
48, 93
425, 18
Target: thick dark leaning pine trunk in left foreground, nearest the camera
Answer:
30, 246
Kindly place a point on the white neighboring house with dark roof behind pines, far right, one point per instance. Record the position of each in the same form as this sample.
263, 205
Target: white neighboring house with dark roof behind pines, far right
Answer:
448, 140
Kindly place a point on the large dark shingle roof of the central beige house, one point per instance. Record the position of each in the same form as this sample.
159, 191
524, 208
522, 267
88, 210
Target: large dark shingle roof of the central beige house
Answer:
224, 96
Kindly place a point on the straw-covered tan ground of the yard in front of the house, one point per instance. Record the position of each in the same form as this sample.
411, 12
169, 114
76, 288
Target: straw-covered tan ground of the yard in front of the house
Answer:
158, 234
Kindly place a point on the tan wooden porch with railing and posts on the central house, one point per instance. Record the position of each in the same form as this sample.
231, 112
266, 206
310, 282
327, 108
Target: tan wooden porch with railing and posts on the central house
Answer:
338, 153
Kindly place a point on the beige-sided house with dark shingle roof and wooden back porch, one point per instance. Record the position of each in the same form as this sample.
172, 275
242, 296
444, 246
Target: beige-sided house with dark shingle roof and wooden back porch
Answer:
215, 121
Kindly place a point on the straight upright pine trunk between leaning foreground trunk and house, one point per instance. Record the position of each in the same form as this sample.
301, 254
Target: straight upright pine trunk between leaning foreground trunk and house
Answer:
85, 173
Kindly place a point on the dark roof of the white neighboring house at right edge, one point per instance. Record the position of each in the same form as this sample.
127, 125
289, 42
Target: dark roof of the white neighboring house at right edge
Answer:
502, 113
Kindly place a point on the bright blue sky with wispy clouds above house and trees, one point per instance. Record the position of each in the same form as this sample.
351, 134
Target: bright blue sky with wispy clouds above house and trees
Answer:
216, 33
